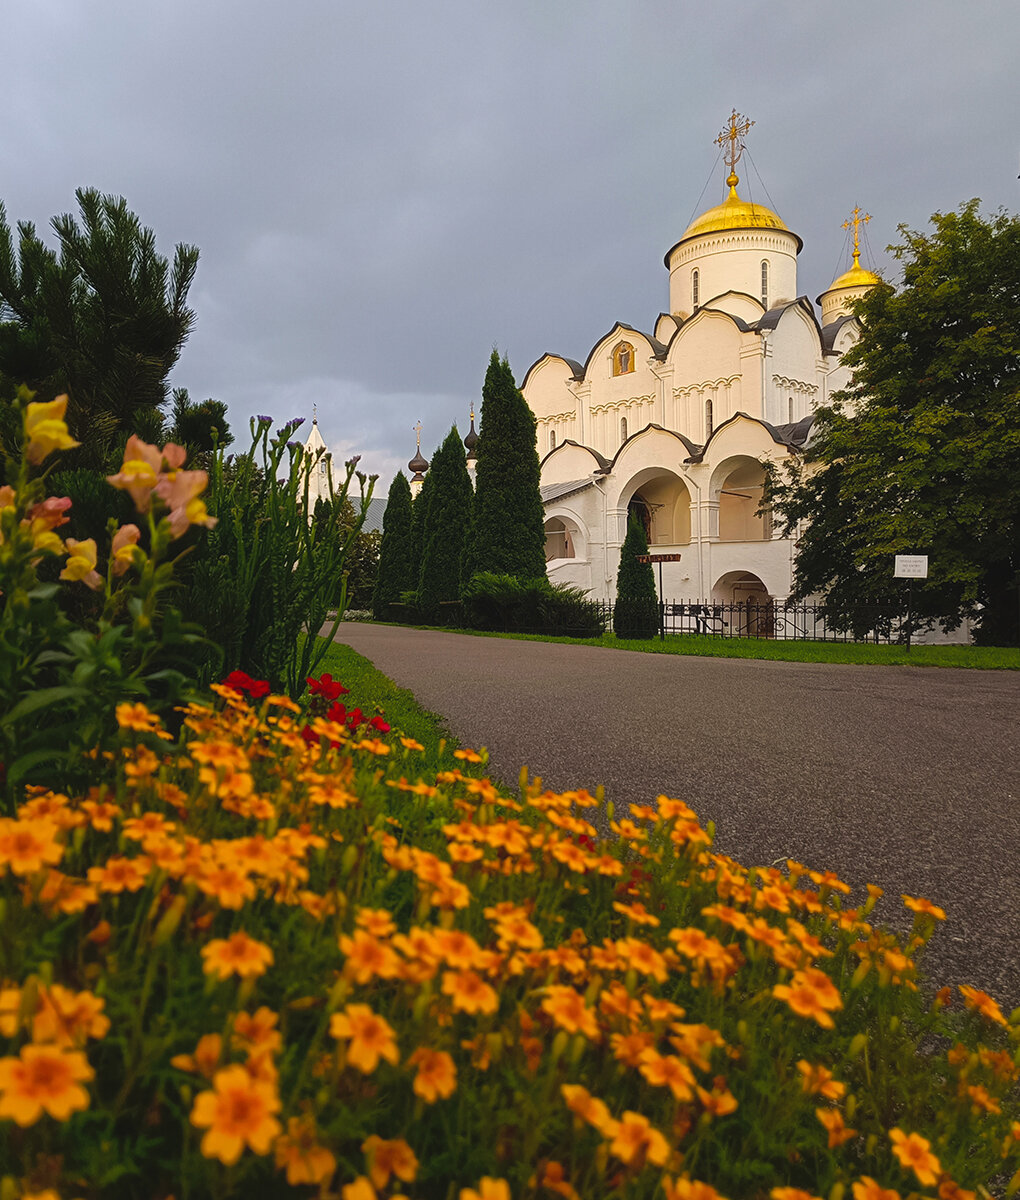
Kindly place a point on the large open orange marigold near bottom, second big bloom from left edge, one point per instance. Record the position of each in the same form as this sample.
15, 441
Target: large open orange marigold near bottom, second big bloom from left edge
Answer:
238, 1112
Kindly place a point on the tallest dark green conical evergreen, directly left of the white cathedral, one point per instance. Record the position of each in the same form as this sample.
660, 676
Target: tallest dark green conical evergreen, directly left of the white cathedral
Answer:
508, 533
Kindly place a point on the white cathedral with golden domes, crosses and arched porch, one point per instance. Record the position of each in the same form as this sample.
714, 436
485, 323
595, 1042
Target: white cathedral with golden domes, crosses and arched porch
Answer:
674, 425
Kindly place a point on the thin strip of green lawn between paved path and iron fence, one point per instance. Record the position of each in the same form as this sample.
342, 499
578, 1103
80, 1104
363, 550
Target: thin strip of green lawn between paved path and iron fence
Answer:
985, 658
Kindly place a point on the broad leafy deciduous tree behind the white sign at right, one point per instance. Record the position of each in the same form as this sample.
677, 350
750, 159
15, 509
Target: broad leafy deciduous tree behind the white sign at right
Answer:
920, 453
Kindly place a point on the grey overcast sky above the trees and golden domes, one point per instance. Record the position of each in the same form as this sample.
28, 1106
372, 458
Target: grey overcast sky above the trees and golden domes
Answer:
382, 193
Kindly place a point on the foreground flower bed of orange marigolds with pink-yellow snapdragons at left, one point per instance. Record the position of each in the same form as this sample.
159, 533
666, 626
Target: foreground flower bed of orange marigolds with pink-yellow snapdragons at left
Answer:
283, 950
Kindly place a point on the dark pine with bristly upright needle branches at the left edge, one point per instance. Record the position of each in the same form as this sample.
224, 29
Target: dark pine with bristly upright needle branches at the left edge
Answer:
104, 319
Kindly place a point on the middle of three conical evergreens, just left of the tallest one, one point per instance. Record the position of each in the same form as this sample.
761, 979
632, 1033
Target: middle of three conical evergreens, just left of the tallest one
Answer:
446, 527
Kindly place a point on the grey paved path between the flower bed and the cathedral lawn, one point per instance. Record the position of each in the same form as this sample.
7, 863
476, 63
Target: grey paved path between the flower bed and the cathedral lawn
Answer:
904, 777
